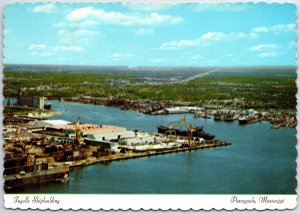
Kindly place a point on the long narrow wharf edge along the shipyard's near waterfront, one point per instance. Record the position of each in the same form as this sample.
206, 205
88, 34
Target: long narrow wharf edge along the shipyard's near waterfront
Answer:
119, 157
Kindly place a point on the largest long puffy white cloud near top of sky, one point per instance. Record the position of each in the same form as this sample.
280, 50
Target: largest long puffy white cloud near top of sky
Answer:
99, 16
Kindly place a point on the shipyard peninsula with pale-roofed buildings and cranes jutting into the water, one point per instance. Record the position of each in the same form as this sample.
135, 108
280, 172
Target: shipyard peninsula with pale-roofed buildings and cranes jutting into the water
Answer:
41, 150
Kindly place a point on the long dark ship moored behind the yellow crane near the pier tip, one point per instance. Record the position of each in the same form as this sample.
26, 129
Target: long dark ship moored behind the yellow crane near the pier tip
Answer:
199, 132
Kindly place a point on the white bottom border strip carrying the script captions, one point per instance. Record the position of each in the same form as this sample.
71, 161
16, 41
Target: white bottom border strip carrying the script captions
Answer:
149, 202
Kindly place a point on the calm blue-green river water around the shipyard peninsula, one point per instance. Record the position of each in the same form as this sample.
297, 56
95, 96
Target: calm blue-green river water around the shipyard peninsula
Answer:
260, 161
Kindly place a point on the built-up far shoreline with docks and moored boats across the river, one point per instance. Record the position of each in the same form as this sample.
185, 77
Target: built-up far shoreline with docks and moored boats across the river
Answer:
277, 118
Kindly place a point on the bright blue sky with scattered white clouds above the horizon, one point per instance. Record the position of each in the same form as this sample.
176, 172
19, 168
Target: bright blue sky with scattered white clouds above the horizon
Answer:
150, 34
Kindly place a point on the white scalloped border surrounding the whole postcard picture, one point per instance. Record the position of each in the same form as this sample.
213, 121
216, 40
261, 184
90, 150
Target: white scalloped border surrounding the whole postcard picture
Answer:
134, 202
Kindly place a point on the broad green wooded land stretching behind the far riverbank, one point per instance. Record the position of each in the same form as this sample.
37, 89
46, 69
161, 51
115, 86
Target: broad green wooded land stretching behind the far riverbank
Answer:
259, 92
